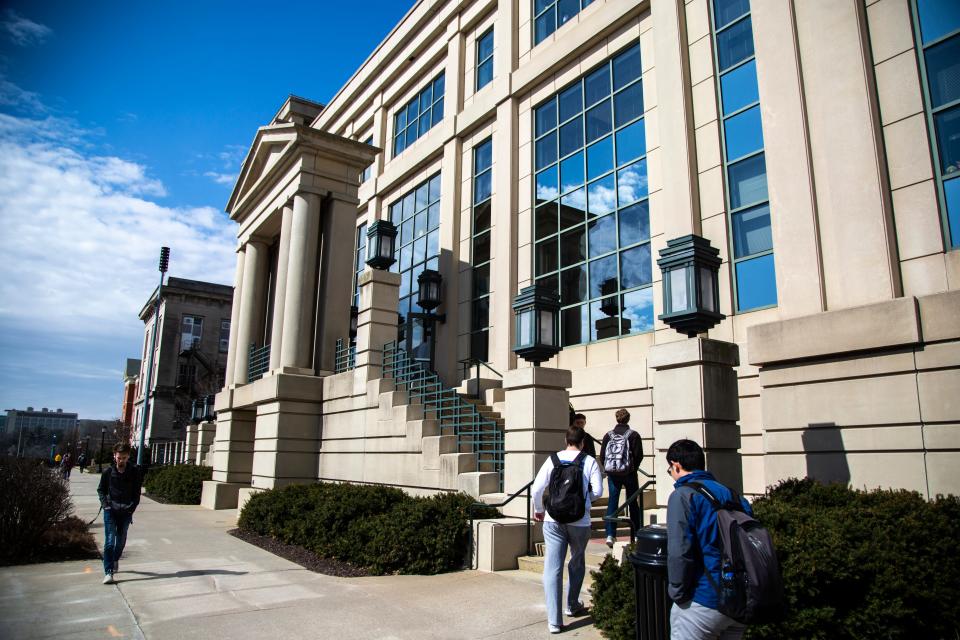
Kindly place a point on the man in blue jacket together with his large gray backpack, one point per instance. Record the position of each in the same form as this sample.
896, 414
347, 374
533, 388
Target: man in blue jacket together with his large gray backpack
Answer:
722, 569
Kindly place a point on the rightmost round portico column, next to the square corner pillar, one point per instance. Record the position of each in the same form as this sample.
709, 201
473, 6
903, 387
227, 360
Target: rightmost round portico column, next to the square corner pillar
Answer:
301, 284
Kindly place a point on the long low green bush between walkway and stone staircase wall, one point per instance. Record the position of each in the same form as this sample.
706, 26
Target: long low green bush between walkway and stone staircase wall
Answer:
381, 529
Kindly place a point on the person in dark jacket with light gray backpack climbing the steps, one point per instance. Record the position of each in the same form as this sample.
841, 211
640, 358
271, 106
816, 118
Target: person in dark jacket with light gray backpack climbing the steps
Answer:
620, 455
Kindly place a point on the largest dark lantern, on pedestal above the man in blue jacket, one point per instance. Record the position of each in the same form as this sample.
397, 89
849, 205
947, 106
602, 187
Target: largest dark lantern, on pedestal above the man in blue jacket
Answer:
691, 297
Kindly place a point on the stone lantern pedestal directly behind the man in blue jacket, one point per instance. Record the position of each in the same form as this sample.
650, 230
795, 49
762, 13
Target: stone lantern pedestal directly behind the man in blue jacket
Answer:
695, 397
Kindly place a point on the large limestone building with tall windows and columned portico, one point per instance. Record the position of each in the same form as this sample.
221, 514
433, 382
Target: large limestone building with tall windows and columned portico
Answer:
563, 143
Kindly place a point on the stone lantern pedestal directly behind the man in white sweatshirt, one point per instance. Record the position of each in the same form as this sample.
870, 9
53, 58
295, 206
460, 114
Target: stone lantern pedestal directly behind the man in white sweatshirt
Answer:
536, 416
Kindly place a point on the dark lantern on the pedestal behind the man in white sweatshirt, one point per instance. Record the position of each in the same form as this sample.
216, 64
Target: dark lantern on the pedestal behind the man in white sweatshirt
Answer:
536, 312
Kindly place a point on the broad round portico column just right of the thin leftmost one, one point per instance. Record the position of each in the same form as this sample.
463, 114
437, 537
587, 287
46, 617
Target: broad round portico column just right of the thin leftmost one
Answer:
252, 300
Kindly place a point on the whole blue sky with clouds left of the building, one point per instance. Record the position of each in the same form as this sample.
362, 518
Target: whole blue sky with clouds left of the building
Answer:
123, 126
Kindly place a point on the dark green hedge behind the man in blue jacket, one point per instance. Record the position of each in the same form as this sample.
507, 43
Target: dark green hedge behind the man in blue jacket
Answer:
855, 564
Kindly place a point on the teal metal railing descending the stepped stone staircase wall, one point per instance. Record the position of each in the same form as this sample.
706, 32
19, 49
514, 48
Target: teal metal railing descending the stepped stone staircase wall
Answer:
475, 433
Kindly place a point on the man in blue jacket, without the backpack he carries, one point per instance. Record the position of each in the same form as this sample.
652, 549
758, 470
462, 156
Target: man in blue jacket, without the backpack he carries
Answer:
693, 549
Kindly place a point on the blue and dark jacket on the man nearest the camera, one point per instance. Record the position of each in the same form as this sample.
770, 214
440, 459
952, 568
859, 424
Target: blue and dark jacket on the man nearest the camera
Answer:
693, 544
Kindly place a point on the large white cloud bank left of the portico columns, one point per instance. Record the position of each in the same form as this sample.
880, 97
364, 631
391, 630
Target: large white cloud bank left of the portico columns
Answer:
81, 234
